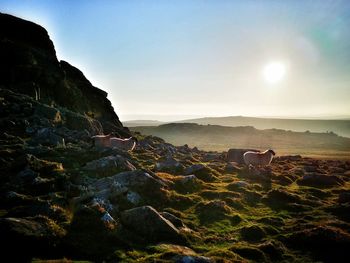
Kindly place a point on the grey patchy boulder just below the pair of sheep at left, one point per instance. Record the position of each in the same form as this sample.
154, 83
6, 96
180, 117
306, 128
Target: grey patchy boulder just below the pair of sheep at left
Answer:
109, 165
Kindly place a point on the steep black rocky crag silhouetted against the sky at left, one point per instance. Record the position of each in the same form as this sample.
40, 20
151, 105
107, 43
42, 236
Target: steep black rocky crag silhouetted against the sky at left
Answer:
29, 66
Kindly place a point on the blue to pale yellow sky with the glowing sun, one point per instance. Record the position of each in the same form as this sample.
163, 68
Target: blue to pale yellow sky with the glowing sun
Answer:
172, 60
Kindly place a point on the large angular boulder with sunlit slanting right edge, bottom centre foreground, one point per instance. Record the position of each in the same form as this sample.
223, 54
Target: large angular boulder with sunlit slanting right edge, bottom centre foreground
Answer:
146, 222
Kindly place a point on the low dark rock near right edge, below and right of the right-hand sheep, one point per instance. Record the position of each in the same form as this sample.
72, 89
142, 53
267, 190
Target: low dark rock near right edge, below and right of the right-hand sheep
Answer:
320, 180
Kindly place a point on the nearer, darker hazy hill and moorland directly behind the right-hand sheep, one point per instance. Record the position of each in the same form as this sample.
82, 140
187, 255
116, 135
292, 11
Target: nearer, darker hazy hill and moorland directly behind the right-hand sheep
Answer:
220, 138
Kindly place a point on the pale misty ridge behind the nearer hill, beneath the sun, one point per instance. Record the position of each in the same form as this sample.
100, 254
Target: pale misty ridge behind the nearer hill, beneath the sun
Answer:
341, 127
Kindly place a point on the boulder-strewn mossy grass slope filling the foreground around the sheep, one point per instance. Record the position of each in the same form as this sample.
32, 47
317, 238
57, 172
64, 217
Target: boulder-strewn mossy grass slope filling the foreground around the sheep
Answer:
61, 198
